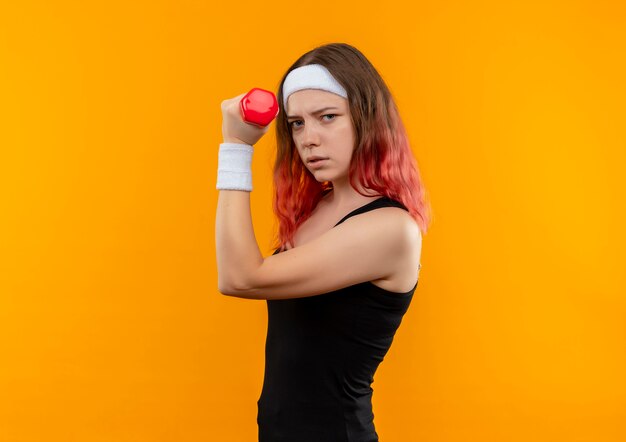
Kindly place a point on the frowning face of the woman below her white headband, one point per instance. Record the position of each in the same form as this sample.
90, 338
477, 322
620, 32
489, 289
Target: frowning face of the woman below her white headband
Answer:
321, 127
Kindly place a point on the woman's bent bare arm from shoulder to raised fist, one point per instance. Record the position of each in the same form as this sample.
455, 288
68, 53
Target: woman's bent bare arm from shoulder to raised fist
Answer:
366, 247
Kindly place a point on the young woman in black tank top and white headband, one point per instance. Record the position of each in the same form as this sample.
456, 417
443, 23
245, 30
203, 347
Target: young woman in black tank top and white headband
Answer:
351, 210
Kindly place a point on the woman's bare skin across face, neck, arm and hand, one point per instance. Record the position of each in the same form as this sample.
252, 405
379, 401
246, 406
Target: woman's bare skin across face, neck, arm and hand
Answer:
382, 246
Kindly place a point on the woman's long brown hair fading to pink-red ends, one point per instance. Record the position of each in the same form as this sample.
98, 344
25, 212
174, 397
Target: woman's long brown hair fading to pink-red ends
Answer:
382, 160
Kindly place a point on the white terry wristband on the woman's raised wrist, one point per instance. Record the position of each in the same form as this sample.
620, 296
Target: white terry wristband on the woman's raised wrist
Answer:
234, 167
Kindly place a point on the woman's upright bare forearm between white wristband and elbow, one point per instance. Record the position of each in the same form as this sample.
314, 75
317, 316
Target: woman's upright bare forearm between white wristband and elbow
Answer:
238, 254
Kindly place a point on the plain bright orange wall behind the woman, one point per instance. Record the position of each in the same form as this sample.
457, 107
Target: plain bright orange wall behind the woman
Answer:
111, 326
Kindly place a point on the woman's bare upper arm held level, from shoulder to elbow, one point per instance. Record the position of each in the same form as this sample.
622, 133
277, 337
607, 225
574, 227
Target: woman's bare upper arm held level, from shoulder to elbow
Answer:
363, 248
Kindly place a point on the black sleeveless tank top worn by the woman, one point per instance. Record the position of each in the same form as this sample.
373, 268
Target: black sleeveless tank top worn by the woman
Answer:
321, 353
